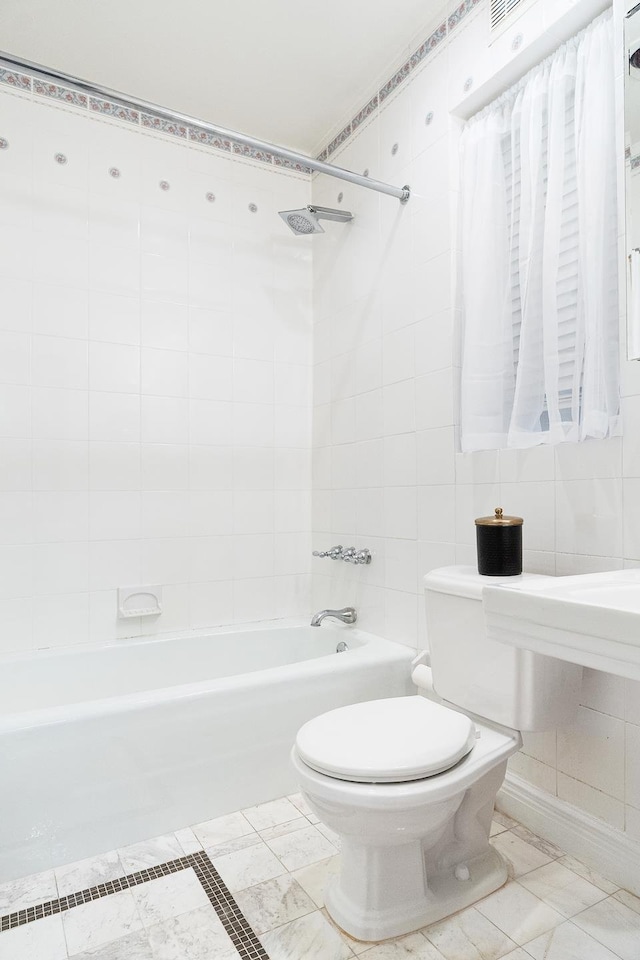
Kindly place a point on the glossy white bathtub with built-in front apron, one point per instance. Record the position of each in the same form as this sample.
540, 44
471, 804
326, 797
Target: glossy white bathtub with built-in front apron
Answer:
105, 746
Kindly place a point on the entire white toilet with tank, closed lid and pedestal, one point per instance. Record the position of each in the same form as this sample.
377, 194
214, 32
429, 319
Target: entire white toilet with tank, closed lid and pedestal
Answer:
409, 784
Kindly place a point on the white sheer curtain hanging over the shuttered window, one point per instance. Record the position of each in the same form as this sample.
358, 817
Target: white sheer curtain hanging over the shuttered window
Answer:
539, 254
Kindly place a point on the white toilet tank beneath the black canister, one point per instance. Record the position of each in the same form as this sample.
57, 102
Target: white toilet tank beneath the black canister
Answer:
512, 687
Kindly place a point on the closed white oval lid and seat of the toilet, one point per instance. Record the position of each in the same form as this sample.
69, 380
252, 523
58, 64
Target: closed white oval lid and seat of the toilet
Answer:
386, 741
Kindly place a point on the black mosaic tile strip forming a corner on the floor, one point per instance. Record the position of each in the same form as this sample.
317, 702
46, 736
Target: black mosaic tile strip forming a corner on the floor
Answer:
229, 913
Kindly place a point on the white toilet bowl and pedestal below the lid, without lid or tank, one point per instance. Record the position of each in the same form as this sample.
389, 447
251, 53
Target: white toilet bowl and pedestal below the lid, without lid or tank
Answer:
412, 852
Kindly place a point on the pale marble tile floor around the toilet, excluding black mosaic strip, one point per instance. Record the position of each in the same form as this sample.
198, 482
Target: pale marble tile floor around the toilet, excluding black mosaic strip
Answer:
275, 860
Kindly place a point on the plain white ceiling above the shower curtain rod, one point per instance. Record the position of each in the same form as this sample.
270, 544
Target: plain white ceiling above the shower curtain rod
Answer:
287, 71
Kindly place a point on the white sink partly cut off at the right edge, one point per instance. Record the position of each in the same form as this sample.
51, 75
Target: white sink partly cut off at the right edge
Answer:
592, 619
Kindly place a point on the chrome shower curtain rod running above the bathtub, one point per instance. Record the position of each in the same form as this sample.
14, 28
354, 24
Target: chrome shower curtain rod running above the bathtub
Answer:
400, 193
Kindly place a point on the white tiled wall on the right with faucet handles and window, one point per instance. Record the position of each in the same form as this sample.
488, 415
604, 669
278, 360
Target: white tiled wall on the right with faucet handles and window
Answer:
384, 429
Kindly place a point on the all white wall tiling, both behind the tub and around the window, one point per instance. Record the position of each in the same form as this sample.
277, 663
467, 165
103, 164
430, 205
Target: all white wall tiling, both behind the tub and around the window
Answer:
156, 388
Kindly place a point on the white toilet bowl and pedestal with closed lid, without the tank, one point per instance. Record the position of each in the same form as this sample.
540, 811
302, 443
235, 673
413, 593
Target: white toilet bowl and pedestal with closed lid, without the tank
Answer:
413, 850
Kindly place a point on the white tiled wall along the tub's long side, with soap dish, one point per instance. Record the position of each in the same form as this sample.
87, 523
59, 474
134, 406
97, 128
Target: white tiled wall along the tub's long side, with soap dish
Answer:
155, 382
